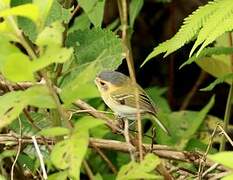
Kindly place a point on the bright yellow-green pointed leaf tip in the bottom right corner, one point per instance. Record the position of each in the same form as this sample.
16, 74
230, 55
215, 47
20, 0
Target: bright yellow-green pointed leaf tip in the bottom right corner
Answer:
224, 158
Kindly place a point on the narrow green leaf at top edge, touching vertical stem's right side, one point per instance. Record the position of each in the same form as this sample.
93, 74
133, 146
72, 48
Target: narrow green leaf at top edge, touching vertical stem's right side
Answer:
134, 9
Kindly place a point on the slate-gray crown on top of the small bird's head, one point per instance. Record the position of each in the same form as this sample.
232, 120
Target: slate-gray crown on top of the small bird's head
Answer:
114, 77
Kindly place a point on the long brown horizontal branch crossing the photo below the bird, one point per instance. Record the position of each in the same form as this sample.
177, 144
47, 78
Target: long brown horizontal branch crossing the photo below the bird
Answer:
162, 151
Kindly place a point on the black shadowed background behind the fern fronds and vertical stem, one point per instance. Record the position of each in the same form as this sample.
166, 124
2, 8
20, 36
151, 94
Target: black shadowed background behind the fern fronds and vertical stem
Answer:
157, 22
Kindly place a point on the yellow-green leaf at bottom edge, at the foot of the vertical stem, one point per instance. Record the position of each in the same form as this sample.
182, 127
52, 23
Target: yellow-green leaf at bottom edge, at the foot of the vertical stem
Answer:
144, 170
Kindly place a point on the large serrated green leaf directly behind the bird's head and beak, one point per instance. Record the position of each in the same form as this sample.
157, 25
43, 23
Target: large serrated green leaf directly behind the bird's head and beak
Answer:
95, 50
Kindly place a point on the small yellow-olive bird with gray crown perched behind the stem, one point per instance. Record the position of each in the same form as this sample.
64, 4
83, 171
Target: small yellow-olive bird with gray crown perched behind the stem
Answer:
118, 92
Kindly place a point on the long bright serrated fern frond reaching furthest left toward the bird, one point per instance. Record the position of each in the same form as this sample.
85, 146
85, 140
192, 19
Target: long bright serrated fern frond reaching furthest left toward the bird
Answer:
191, 26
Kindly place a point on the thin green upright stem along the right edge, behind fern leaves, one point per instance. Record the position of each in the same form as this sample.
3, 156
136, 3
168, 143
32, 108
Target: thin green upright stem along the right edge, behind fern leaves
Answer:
229, 101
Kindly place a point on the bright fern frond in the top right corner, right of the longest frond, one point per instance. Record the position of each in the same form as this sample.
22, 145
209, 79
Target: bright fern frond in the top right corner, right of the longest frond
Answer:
222, 13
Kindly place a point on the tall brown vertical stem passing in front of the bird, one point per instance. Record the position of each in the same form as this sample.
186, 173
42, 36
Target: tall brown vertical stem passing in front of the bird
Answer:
123, 11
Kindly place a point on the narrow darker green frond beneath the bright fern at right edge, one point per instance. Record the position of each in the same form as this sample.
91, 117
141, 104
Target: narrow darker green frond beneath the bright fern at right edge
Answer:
207, 52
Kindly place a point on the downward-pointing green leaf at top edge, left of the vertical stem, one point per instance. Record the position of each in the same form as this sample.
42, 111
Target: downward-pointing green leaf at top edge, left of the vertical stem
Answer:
94, 9
